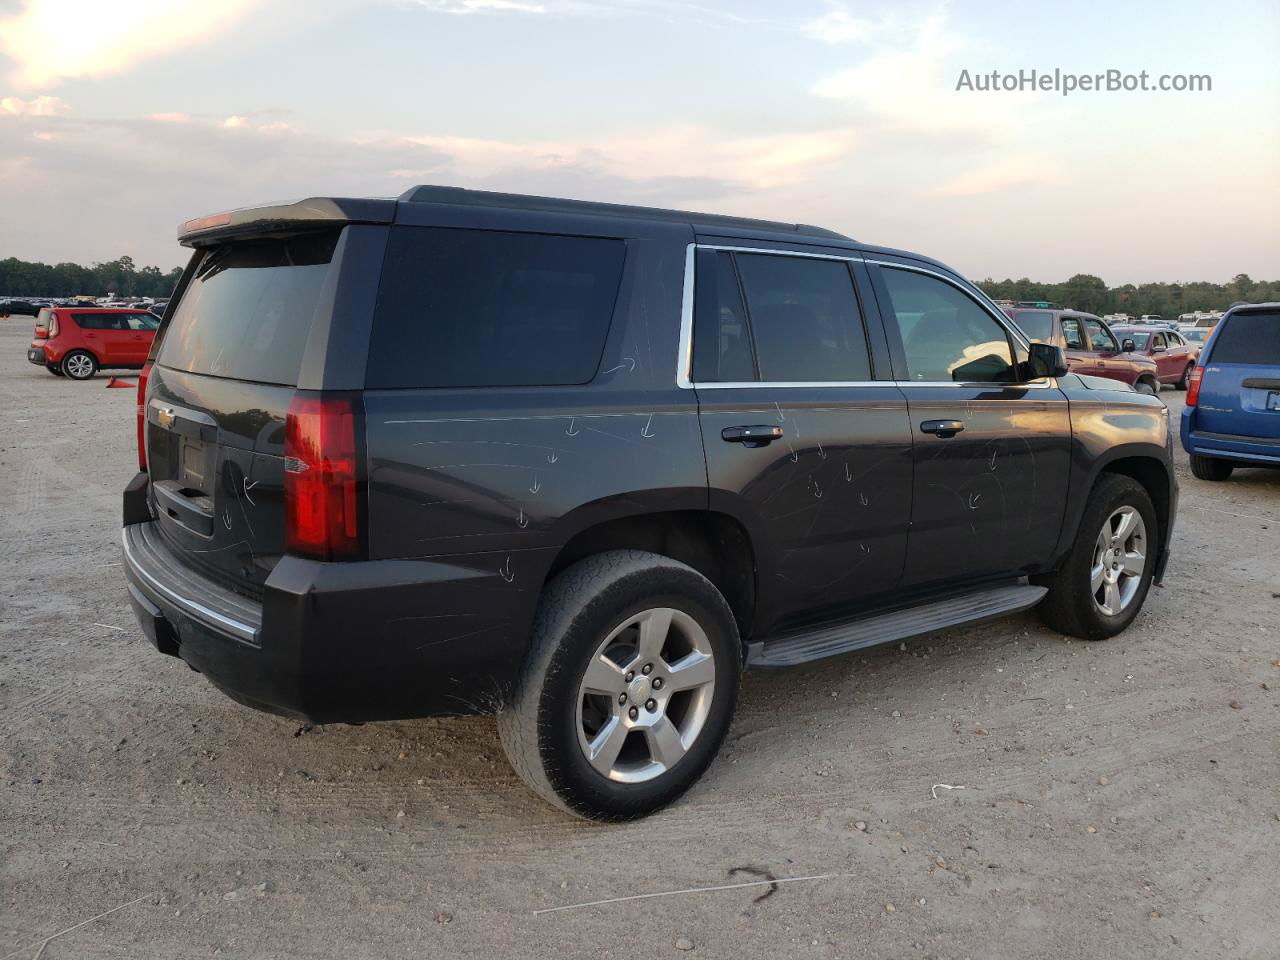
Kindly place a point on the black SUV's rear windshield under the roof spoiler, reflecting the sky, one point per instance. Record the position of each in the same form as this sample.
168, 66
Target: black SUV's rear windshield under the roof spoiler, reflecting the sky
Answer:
248, 312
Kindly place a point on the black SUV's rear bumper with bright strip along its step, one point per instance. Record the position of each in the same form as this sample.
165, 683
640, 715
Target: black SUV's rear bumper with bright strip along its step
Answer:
337, 642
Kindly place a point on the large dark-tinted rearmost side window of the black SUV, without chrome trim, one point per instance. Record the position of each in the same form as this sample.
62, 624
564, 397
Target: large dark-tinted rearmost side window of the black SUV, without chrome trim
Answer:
492, 309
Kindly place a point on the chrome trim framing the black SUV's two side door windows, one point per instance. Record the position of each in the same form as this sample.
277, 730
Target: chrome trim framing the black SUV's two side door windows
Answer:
685, 353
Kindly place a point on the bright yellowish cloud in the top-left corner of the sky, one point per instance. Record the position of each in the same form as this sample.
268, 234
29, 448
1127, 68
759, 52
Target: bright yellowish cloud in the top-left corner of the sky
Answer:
49, 42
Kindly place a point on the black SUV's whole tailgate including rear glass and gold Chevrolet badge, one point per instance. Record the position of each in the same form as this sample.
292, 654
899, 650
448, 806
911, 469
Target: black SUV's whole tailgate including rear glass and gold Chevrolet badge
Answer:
218, 397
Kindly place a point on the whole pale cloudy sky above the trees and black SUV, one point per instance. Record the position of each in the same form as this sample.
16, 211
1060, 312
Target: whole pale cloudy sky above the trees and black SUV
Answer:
121, 120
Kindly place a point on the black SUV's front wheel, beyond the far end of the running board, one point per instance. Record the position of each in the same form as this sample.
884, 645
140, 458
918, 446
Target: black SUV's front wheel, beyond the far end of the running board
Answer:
1103, 584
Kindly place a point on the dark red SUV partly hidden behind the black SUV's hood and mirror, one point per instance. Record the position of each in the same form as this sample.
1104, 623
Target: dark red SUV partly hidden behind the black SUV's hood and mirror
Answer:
1090, 346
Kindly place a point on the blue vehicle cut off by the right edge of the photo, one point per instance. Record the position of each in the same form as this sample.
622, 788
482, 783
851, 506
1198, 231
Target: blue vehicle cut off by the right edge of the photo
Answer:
1233, 401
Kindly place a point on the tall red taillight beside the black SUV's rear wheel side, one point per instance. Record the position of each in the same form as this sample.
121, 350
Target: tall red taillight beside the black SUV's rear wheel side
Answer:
322, 516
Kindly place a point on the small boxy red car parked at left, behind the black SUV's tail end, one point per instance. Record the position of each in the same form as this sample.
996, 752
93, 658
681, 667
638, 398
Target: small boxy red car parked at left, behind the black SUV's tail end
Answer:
76, 342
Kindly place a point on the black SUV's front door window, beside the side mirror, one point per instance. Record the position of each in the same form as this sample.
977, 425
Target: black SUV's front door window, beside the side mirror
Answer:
947, 336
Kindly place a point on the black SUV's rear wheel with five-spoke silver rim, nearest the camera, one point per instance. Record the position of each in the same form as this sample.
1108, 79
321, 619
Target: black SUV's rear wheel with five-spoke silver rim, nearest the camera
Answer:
628, 688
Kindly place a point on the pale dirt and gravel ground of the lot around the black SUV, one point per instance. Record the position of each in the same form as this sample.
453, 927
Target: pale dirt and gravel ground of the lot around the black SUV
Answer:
1121, 799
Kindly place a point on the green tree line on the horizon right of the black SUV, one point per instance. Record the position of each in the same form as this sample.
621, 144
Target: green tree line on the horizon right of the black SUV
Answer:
1168, 300
